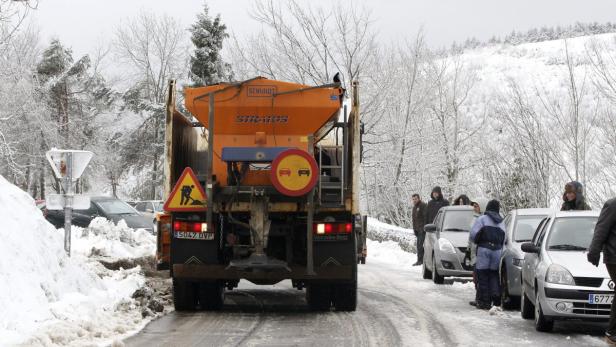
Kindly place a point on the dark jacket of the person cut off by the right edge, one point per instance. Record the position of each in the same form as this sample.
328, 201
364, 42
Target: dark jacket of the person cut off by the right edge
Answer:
604, 238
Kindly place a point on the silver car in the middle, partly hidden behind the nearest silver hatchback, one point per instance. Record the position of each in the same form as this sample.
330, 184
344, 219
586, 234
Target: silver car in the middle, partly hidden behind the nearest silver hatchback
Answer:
521, 225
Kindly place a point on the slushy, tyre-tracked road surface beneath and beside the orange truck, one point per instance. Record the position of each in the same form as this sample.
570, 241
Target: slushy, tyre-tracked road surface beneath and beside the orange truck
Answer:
395, 308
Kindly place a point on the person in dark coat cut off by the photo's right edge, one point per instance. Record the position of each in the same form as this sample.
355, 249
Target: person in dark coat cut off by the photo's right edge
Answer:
604, 239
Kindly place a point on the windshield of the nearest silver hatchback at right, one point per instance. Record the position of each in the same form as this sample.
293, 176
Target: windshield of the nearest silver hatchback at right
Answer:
571, 233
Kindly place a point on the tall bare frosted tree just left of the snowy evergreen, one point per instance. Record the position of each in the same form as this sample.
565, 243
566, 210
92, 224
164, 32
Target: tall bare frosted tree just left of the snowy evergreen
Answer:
153, 51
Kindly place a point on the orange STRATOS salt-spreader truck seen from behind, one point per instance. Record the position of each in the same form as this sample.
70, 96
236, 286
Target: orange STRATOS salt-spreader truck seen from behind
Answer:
262, 184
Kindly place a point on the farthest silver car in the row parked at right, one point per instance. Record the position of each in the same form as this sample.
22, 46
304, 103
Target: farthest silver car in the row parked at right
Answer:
446, 242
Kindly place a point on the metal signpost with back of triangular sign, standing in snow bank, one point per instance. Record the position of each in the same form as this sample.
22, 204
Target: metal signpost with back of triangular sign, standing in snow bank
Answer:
68, 166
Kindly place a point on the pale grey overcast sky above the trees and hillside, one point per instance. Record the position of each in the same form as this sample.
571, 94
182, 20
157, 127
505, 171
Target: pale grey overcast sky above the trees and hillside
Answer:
84, 24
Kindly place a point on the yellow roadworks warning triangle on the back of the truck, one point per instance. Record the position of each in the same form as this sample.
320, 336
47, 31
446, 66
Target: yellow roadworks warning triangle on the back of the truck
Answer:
187, 195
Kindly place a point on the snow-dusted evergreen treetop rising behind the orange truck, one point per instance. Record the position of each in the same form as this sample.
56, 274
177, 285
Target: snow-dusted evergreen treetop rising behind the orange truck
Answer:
206, 65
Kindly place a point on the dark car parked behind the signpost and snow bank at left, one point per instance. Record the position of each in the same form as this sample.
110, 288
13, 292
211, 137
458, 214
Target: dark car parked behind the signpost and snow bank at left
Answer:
111, 208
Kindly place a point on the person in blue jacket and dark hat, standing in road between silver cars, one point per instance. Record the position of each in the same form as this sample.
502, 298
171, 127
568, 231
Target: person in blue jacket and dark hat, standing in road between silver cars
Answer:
488, 232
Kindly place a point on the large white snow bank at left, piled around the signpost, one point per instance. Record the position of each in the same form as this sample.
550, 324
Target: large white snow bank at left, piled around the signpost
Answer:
49, 299
